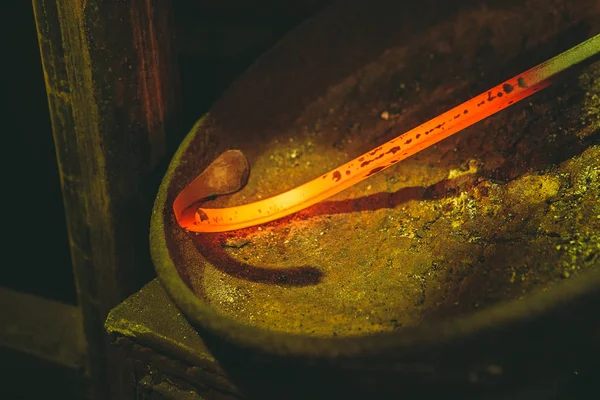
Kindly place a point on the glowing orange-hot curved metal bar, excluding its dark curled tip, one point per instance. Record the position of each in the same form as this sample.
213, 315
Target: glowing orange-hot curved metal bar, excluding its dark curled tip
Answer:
478, 108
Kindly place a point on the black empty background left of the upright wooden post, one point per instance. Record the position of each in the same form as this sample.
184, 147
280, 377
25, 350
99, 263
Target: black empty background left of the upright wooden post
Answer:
40, 262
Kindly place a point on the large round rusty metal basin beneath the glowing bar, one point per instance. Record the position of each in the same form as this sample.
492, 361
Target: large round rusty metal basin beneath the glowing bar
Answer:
471, 267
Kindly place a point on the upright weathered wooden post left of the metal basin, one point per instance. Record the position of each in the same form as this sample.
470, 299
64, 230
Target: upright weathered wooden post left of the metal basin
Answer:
112, 83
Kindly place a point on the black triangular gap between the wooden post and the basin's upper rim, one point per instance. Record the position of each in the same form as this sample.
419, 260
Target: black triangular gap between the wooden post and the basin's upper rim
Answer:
217, 42
